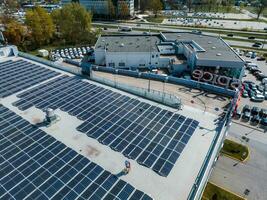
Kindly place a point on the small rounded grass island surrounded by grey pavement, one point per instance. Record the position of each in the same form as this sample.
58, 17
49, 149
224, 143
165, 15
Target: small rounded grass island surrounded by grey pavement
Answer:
235, 150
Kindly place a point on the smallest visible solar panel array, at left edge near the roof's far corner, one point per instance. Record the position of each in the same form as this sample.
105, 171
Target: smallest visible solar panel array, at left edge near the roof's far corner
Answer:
18, 75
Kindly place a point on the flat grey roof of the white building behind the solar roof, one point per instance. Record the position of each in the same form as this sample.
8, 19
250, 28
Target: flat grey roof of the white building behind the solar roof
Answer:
212, 48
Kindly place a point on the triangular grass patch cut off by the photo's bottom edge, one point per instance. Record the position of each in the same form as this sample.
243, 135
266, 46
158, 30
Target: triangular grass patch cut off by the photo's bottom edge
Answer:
213, 192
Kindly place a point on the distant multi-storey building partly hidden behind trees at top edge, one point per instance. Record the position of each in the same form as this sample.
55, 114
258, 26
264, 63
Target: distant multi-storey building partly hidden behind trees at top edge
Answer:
101, 6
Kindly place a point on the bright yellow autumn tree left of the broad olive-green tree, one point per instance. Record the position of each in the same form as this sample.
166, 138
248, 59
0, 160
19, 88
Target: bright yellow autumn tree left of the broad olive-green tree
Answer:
40, 25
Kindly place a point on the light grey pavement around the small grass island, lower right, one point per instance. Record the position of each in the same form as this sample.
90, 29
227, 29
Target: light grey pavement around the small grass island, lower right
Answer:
251, 175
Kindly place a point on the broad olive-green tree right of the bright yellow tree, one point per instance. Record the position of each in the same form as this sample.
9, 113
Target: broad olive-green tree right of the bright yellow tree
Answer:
73, 22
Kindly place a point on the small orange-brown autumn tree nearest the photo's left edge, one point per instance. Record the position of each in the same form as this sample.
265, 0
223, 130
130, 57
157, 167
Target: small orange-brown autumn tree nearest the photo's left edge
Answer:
15, 33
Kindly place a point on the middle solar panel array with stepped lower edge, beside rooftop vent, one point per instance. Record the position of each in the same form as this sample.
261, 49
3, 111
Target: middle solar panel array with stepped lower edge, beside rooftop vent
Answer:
153, 136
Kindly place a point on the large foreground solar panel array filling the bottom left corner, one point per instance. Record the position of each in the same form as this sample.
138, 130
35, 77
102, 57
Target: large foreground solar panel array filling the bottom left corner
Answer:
34, 165
